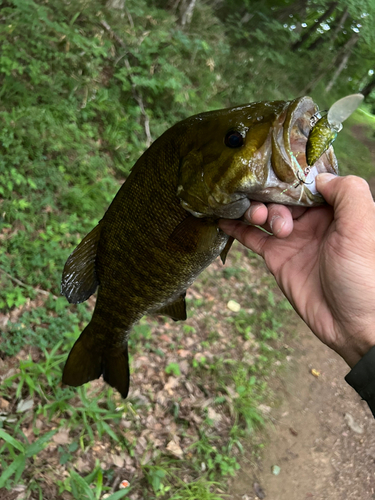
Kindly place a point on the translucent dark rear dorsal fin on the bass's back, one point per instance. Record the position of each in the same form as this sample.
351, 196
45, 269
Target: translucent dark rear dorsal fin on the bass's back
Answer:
79, 279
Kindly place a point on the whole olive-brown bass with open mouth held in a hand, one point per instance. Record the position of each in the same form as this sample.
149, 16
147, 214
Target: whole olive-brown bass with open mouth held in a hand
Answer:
161, 230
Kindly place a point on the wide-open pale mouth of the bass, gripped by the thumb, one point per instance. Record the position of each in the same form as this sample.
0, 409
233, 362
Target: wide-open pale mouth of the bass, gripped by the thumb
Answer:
290, 179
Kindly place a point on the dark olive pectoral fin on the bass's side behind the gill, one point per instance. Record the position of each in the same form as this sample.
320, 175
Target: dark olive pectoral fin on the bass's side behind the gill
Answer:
194, 235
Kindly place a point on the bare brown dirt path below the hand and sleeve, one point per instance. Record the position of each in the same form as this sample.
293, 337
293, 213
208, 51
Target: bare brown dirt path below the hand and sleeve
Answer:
322, 436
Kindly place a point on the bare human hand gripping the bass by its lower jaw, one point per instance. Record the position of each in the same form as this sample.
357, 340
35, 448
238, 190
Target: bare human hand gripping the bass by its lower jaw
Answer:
323, 260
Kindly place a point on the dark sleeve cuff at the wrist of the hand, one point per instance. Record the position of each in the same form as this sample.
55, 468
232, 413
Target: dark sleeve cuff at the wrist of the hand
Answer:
362, 378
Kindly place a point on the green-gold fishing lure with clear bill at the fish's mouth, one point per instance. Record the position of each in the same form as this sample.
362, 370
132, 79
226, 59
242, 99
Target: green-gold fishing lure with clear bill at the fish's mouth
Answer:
325, 131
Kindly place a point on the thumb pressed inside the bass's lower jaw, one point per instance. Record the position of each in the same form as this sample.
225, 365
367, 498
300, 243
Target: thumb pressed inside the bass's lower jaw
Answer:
347, 195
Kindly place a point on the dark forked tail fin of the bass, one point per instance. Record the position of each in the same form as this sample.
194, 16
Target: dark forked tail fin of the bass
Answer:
86, 363
